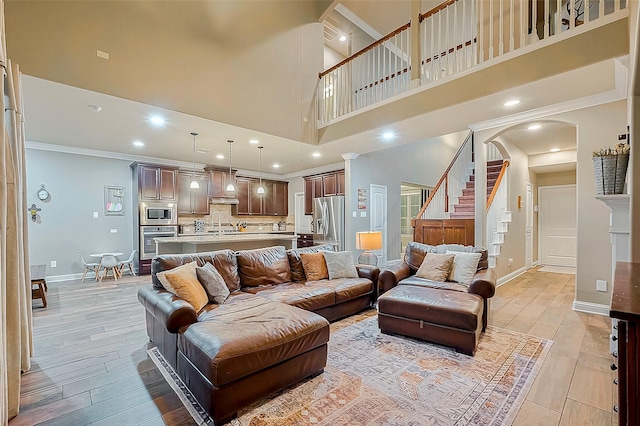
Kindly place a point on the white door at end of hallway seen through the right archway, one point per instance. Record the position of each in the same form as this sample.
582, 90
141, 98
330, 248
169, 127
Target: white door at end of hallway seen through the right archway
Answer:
557, 225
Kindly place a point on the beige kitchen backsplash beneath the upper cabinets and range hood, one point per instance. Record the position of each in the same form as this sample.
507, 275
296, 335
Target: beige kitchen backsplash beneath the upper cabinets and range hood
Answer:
229, 221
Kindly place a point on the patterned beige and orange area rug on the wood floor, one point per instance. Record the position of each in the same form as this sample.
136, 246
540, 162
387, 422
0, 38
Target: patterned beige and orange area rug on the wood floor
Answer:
376, 379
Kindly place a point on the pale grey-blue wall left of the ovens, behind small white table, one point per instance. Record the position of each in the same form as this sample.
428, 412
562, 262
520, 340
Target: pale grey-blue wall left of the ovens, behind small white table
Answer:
65, 226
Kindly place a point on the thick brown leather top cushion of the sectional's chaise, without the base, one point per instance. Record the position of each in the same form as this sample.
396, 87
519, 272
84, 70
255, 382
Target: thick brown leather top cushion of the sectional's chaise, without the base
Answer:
249, 336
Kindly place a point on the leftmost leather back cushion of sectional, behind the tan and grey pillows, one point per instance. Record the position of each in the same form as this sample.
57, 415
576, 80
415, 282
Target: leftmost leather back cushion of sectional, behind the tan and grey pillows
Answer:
223, 260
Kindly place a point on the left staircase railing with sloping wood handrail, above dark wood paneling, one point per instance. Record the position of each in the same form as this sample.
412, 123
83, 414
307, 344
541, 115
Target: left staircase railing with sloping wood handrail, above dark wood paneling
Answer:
452, 181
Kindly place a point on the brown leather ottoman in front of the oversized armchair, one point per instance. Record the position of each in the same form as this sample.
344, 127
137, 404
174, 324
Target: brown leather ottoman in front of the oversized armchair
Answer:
446, 317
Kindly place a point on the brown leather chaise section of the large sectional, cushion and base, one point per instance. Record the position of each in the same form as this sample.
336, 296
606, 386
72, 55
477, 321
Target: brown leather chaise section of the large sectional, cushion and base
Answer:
248, 350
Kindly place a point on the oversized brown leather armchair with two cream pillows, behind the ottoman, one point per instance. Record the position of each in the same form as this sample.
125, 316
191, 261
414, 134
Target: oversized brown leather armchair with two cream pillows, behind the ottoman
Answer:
403, 272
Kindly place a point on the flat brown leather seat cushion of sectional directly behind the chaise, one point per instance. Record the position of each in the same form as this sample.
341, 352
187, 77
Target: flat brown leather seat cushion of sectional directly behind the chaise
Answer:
297, 294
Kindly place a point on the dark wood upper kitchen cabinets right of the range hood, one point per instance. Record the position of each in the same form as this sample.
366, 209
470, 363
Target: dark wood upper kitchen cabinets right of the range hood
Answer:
274, 201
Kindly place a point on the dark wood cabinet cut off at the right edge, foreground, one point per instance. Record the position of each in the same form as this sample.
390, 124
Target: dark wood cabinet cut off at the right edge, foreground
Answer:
625, 307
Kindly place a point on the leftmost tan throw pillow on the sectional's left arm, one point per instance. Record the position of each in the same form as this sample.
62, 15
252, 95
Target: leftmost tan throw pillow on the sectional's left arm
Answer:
183, 282
